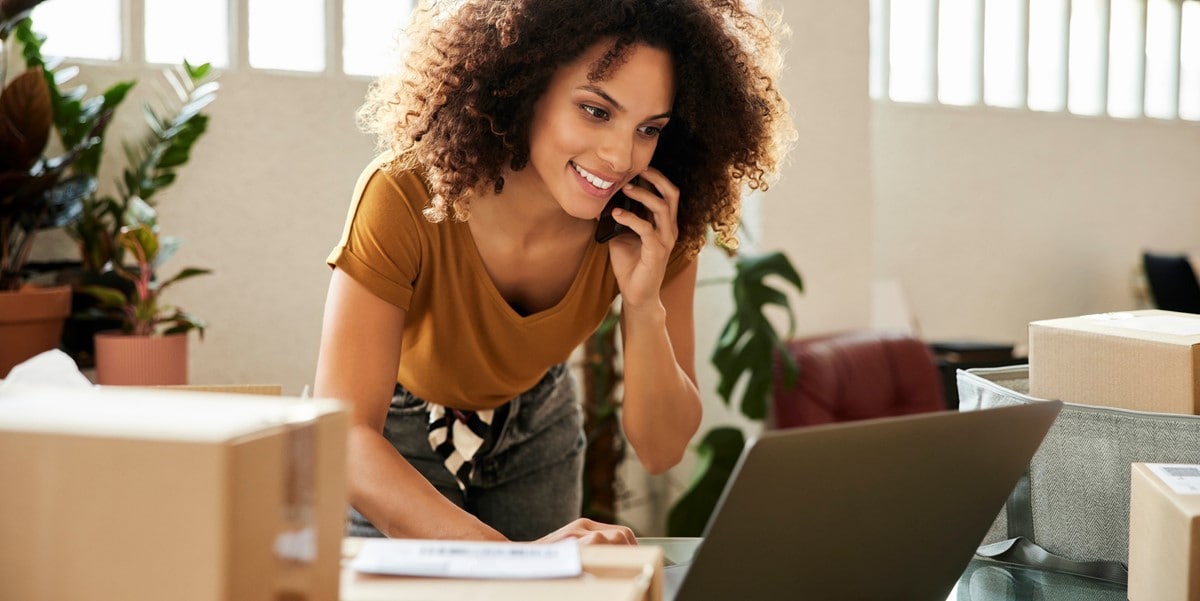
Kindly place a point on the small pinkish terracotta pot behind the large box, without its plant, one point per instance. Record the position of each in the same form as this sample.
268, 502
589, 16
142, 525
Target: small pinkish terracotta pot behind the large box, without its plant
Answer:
141, 360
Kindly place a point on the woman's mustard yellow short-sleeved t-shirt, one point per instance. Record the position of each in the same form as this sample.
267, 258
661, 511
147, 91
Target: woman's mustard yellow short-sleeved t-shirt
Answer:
464, 346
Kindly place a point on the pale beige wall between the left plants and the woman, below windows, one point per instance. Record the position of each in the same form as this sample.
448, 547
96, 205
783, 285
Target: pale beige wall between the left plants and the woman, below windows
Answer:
261, 203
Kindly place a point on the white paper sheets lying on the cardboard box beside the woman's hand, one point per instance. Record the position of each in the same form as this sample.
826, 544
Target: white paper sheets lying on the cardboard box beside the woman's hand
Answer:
457, 560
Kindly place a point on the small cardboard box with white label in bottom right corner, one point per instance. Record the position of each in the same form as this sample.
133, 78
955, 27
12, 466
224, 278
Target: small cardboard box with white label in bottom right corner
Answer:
1165, 539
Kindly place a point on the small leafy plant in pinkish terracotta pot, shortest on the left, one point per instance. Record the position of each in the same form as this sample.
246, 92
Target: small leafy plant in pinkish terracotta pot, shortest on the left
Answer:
152, 346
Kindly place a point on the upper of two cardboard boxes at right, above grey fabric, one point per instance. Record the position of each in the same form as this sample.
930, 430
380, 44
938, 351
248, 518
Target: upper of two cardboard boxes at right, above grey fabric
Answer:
1142, 360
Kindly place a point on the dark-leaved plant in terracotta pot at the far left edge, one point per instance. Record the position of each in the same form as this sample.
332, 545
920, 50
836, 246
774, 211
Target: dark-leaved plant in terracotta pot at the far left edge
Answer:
37, 193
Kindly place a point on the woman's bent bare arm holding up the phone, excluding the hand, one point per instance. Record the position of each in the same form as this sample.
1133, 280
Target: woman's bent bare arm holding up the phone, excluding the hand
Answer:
662, 410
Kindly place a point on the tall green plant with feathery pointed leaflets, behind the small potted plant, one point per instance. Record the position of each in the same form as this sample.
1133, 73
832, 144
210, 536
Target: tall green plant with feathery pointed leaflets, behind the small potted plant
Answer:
173, 127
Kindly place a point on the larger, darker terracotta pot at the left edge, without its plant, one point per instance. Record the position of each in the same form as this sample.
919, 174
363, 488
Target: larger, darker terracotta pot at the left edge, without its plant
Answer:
32, 323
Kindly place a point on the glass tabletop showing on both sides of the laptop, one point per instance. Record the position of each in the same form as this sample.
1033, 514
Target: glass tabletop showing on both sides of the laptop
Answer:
983, 580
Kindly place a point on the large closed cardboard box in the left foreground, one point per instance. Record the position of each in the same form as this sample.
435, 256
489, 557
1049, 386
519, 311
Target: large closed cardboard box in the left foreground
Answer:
152, 495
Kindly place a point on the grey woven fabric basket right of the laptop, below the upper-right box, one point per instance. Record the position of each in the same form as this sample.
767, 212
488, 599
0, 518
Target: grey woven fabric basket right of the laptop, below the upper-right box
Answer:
1072, 512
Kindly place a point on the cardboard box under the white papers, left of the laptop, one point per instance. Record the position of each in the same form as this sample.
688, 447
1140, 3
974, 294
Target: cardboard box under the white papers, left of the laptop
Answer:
611, 573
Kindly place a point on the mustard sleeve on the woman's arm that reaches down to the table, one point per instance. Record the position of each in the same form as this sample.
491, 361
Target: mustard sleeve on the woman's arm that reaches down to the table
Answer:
381, 245
